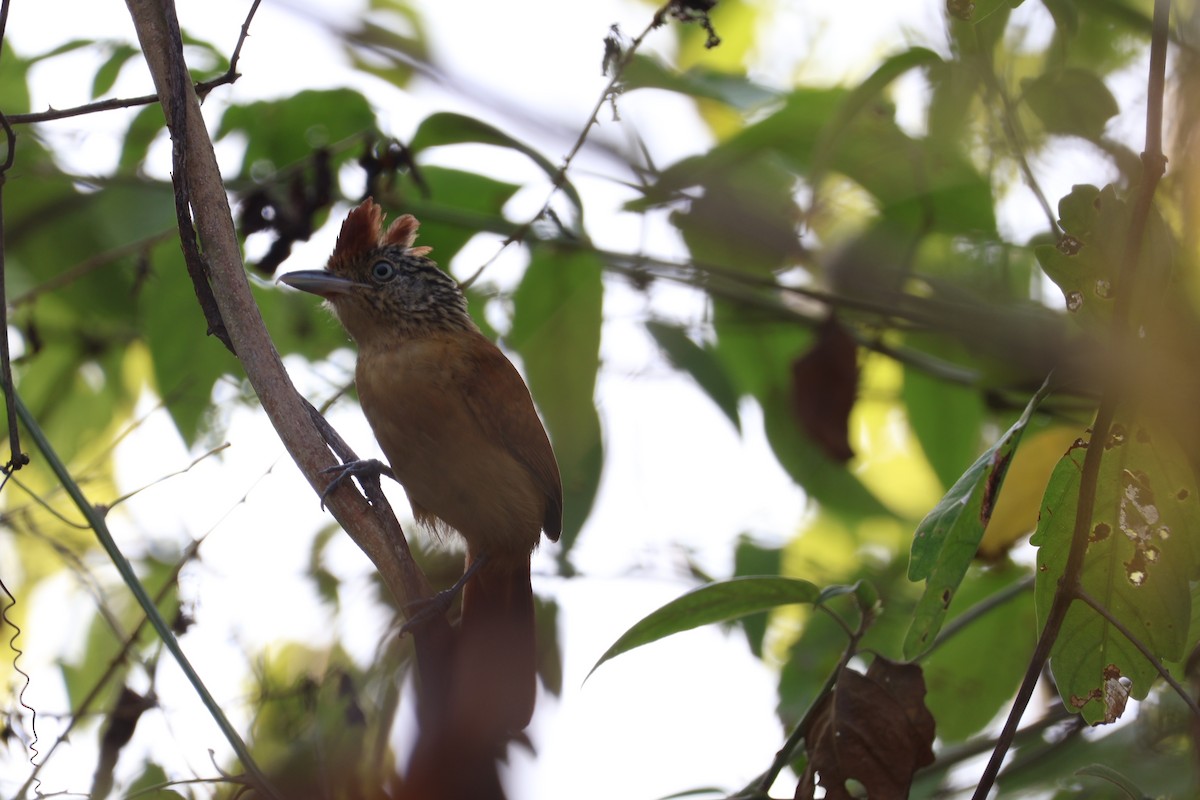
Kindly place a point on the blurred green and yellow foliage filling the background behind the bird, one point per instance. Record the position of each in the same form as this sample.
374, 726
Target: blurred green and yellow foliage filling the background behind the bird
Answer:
818, 225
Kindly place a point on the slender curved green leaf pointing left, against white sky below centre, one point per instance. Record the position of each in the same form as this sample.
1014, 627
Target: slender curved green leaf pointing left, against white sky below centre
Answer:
716, 603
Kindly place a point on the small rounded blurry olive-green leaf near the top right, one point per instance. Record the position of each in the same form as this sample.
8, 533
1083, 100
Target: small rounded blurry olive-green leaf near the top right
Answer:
1072, 101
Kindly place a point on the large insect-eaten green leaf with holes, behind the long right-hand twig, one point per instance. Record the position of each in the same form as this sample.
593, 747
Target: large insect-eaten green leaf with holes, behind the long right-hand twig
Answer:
1141, 556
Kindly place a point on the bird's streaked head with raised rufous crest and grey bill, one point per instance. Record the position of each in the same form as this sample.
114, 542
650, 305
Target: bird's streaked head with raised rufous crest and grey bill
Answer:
380, 286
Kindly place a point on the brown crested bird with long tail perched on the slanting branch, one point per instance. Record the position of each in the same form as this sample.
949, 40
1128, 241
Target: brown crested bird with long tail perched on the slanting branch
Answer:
460, 432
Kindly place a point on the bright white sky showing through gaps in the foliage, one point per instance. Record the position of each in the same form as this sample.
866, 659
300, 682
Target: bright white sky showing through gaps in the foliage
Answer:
695, 711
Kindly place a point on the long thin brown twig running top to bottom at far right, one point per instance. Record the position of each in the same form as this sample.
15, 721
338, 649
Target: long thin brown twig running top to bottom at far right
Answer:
1069, 586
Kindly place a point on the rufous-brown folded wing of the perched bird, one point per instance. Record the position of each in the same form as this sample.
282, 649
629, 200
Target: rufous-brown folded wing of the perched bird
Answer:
515, 424
